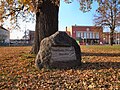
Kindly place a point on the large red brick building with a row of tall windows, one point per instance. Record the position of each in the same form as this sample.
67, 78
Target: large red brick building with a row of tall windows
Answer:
86, 34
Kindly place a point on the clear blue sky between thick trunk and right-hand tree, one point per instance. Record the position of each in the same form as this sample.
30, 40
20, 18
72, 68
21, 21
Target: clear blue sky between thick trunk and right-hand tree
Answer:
69, 14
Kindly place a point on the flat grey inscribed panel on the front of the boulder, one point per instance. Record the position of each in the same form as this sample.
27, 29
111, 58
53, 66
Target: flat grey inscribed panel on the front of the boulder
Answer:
63, 53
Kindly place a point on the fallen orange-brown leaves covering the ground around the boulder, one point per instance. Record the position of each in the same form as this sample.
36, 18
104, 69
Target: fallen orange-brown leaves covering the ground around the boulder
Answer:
100, 70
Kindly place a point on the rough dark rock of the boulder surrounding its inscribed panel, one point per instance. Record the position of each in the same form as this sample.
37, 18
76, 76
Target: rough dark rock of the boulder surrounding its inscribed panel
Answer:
59, 39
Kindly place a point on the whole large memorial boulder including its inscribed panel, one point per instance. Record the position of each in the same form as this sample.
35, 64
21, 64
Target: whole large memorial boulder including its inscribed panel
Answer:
58, 51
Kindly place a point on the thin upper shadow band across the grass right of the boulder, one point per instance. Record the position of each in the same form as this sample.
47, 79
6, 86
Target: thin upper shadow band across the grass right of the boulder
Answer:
101, 54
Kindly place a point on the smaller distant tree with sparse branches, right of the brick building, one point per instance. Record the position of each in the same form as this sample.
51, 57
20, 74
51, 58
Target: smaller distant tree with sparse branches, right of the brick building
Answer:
108, 14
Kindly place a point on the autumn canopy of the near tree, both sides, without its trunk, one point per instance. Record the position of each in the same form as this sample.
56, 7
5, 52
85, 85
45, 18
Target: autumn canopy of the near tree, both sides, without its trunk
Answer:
22, 8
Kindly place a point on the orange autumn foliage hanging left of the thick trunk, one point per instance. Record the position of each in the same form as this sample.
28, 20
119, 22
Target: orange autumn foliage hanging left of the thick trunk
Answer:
14, 9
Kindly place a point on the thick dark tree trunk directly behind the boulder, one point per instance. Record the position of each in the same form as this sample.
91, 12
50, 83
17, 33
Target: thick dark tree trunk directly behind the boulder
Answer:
46, 23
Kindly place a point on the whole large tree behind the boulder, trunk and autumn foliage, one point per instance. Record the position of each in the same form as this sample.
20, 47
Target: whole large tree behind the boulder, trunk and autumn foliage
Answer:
46, 12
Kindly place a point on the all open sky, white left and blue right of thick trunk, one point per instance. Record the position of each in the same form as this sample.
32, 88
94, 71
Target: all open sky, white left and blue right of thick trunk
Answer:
69, 14
